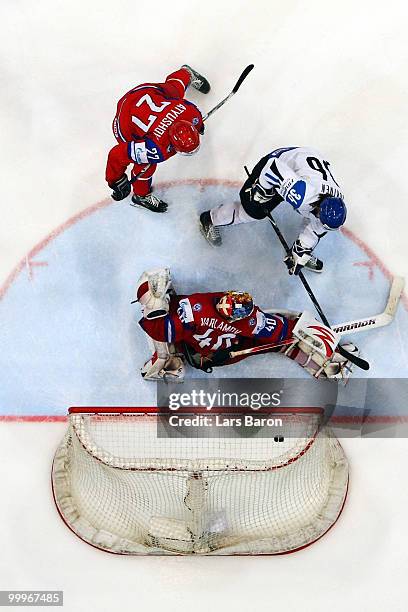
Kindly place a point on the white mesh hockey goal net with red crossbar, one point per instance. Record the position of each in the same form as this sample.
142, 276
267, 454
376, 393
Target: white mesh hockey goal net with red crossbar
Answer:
123, 489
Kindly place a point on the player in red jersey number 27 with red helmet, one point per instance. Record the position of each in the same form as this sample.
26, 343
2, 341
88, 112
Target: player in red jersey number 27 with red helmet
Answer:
153, 122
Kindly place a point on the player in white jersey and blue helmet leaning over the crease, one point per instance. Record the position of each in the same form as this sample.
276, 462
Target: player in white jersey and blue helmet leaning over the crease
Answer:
301, 178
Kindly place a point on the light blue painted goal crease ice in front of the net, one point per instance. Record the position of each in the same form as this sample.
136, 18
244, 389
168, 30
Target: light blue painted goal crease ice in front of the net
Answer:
70, 334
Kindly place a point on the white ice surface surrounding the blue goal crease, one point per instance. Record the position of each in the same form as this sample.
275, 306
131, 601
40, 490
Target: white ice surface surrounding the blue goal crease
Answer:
332, 75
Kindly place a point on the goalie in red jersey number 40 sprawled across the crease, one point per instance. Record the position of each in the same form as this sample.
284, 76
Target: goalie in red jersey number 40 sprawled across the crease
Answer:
216, 329
